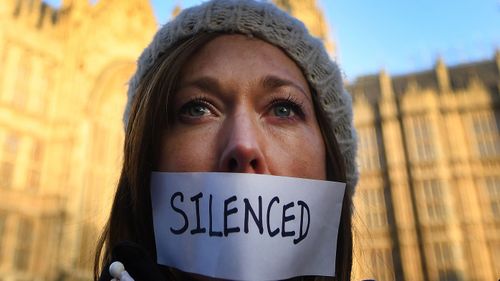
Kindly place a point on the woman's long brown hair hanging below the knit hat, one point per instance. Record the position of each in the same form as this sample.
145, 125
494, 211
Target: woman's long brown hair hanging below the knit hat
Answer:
131, 217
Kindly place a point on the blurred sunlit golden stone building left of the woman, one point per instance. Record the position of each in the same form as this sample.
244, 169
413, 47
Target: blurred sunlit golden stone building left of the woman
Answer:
63, 76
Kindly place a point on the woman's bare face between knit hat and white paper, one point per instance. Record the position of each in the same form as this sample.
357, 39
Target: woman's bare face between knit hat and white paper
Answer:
243, 106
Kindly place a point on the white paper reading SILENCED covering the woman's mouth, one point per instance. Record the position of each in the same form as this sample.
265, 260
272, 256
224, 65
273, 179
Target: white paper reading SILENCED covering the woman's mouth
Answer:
246, 226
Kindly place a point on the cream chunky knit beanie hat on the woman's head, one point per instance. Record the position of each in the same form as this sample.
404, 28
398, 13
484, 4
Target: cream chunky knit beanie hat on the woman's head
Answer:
266, 22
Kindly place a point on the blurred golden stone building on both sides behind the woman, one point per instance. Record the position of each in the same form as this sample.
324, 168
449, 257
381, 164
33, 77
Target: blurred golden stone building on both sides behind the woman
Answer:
427, 206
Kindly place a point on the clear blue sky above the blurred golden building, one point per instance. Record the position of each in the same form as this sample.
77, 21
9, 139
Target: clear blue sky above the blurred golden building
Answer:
400, 36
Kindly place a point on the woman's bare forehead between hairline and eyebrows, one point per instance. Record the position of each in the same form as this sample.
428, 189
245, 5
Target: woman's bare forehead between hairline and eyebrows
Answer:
233, 54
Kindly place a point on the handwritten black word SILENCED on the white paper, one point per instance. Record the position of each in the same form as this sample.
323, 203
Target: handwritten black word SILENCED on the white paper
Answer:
249, 211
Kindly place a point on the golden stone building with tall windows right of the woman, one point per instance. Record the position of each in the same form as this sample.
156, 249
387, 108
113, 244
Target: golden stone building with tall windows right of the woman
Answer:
428, 200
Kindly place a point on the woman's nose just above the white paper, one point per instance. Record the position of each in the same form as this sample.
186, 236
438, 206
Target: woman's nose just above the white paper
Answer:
242, 150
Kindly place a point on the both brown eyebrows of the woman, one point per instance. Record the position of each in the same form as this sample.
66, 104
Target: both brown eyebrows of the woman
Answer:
269, 82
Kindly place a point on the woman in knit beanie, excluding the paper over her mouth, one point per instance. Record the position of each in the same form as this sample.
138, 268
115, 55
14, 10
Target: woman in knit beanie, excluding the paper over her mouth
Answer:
229, 86
